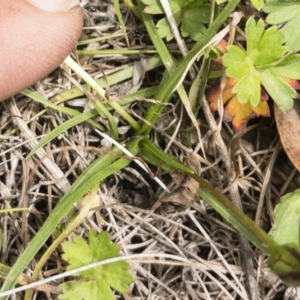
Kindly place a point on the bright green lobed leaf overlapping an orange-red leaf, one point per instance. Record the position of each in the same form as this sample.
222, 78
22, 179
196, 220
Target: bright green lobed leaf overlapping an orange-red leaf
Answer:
266, 62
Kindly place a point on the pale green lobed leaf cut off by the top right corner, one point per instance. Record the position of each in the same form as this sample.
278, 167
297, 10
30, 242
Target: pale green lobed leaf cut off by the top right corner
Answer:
285, 11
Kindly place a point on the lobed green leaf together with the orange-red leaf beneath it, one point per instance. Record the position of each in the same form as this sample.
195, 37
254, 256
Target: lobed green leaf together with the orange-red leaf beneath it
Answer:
268, 65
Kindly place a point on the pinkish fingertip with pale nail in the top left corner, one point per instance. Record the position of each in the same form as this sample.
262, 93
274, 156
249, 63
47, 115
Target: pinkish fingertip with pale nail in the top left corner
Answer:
34, 41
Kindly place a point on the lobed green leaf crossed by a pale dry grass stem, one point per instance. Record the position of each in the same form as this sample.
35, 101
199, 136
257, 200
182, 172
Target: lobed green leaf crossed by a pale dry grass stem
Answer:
96, 283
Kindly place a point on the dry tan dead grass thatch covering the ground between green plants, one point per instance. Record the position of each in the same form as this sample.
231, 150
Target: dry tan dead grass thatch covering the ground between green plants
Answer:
209, 256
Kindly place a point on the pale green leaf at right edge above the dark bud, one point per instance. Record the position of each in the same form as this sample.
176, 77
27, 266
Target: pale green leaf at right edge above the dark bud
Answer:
286, 219
